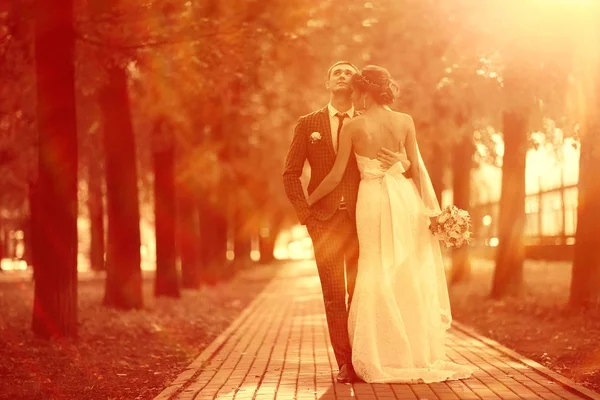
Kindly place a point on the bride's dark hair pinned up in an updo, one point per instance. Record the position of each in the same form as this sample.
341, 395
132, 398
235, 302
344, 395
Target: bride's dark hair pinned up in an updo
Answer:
376, 81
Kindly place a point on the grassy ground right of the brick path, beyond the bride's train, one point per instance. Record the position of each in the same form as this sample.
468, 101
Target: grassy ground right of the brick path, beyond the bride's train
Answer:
538, 325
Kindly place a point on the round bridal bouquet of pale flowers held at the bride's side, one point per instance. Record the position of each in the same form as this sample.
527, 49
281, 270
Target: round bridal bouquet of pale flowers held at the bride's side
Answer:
452, 227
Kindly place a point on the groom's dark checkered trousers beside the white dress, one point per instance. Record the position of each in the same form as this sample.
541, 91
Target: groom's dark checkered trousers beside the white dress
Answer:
334, 242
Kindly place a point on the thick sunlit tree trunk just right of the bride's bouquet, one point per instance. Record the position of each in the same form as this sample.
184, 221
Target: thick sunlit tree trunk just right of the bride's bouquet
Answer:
508, 274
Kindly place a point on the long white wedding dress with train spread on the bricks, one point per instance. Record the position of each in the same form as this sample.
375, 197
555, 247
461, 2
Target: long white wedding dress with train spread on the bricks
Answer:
400, 310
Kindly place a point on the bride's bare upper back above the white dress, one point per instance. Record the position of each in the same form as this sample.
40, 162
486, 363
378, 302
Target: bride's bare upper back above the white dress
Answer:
377, 129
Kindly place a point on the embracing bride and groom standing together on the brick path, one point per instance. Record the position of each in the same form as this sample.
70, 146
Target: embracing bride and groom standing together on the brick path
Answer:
368, 213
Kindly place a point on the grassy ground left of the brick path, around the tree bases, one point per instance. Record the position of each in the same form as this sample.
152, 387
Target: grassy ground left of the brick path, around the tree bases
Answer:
119, 355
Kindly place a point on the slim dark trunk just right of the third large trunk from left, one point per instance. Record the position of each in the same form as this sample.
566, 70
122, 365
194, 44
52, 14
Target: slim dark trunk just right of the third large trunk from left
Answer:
188, 239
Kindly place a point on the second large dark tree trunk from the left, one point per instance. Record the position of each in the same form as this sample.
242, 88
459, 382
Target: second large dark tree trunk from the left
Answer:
123, 260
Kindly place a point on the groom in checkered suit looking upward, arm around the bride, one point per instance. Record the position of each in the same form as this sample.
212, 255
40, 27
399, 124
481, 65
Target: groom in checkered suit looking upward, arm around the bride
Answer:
331, 221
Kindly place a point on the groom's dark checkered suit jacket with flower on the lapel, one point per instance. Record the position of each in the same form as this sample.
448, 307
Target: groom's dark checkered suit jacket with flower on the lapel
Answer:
321, 156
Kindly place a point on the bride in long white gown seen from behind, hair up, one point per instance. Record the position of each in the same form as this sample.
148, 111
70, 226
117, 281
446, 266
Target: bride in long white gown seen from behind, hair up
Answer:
400, 309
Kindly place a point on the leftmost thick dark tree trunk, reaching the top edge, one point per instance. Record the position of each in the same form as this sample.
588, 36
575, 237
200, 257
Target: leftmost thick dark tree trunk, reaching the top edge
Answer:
55, 295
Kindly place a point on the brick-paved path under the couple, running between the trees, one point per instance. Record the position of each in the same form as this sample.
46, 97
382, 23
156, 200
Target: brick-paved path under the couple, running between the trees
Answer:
279, 349
